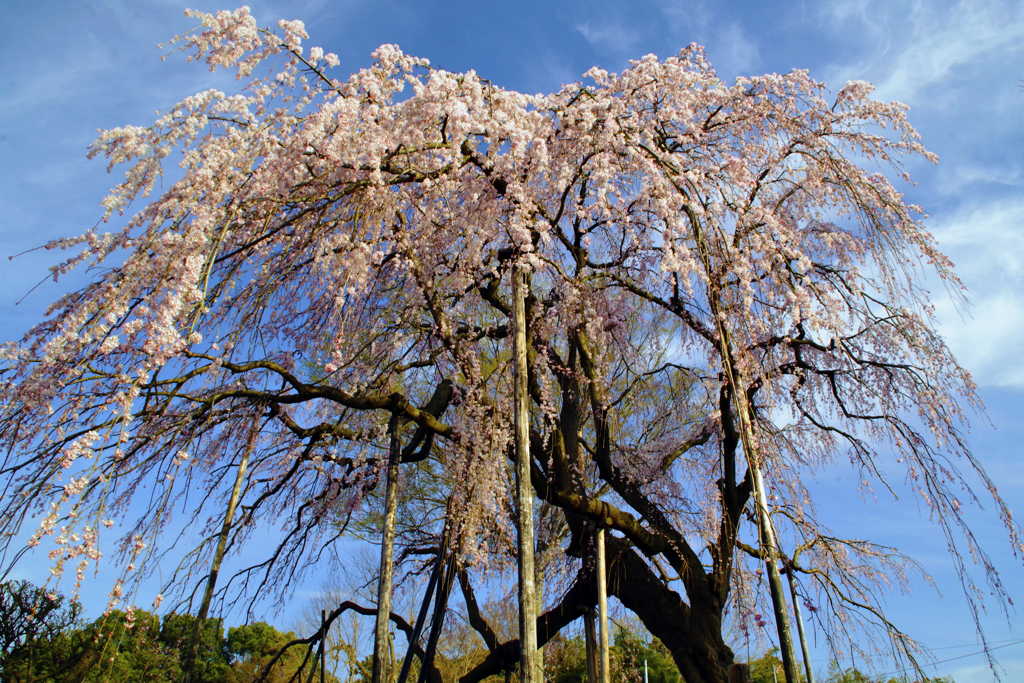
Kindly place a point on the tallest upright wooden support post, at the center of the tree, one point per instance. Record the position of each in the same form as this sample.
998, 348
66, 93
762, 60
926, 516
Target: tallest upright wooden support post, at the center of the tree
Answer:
530, 671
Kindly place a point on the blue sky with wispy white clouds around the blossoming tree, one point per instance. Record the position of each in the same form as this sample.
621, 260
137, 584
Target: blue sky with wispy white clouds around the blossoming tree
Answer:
70, 68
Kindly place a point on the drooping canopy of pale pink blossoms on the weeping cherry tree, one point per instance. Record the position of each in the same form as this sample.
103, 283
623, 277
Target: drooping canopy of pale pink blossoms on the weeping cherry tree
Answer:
340, 250
